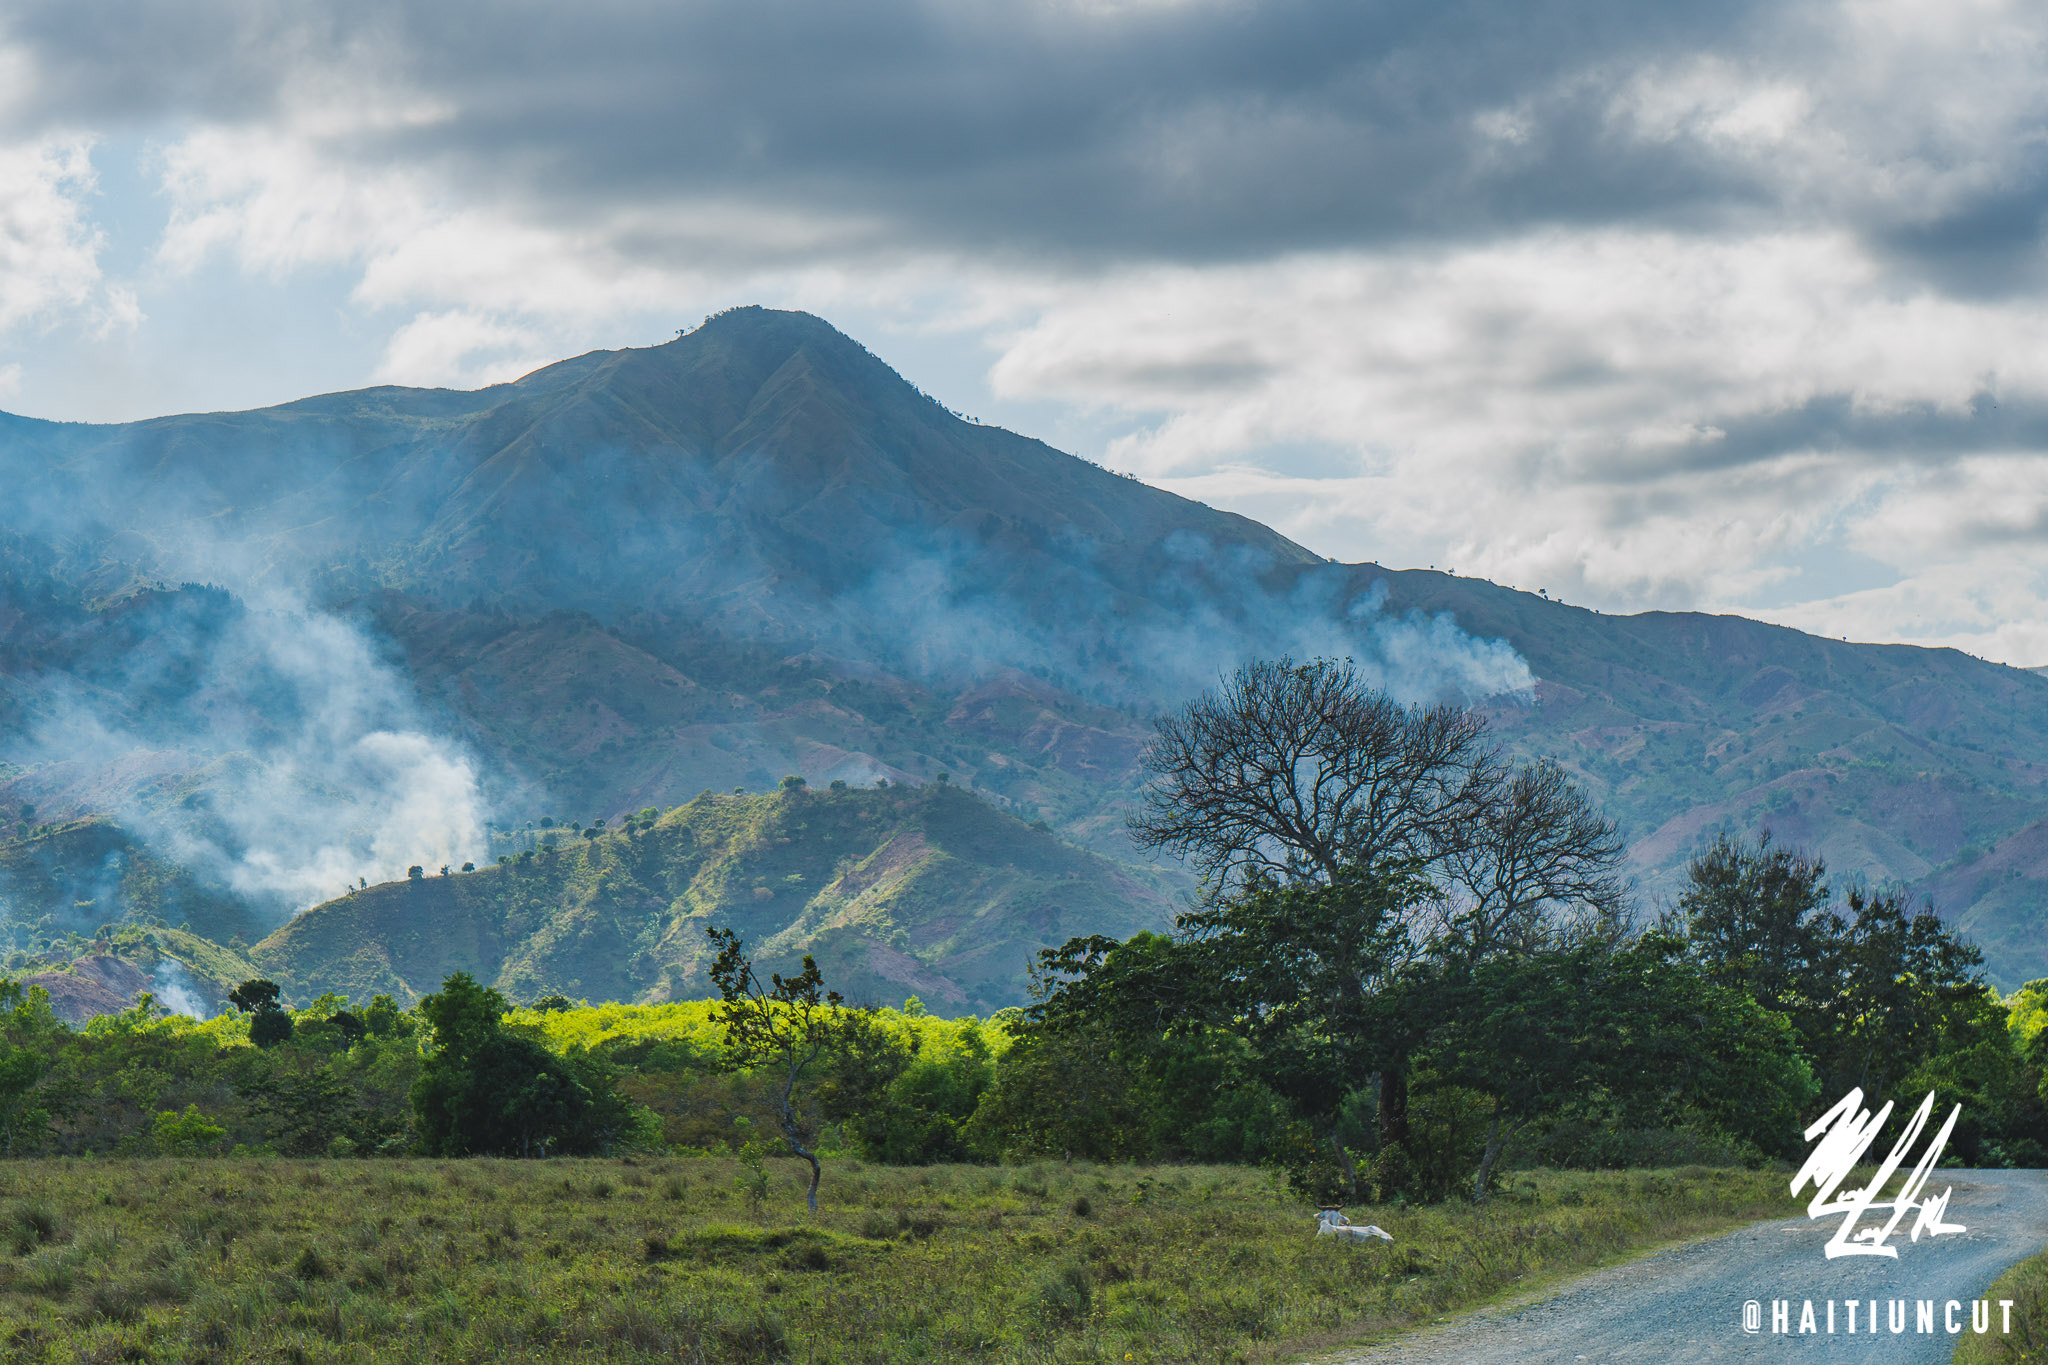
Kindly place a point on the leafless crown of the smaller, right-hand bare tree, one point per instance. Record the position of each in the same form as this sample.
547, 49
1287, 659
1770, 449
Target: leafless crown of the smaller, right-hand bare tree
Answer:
1539, 869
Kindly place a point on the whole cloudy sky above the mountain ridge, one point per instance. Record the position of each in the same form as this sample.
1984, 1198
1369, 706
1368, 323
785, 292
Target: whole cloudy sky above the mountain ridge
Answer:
1734, 308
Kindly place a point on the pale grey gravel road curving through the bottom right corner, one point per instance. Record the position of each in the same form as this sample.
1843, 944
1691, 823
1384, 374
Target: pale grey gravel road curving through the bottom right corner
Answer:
1687, 1305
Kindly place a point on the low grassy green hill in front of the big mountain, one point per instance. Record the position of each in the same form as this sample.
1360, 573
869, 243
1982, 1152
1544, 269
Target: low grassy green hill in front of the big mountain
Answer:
898, 891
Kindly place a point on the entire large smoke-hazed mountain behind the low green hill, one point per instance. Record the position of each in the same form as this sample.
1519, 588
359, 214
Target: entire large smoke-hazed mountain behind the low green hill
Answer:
302, 648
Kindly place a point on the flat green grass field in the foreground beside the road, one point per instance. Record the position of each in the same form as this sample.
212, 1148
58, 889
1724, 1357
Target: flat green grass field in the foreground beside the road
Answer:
708, 1260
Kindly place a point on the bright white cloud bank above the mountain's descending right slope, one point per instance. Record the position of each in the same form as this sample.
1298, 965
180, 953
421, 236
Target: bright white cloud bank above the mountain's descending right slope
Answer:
1625, 419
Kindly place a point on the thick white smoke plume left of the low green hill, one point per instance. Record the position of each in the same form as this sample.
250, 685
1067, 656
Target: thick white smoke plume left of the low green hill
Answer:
308, 762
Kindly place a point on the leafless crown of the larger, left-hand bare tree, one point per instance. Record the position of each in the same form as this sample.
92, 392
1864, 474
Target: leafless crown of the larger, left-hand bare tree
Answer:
1299, 770
